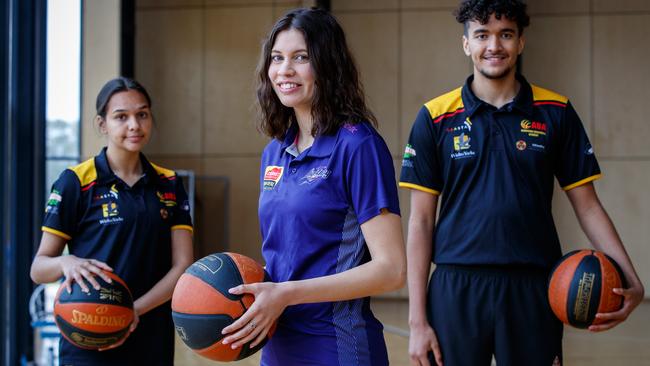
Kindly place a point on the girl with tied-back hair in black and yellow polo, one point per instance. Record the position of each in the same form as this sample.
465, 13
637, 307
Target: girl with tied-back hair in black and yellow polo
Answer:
121, 213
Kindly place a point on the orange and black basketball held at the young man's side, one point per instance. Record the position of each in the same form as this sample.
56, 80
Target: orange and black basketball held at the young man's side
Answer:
581, 285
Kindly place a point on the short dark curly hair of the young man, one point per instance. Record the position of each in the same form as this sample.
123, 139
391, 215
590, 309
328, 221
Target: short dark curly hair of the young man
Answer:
481, 10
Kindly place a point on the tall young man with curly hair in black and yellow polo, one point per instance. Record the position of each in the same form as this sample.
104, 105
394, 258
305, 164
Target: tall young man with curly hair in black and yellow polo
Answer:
491, 150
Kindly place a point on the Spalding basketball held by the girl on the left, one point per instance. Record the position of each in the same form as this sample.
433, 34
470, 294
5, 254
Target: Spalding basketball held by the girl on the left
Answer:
96, 319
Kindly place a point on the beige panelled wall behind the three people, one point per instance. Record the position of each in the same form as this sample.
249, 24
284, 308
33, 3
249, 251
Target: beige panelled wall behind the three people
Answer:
198, 57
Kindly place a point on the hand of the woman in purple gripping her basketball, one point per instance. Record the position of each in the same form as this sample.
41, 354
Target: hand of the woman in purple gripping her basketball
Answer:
255, 324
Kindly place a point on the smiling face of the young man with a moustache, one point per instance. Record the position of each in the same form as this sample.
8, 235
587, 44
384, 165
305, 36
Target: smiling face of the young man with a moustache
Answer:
493, 47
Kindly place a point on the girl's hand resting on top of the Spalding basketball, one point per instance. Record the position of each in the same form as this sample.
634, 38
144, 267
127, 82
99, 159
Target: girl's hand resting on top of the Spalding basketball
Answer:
77, 269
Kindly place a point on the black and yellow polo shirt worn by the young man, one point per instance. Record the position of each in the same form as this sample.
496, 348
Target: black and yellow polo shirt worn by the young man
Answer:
494, 169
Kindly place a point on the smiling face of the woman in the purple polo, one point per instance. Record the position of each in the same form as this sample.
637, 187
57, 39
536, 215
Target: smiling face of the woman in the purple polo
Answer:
291, 73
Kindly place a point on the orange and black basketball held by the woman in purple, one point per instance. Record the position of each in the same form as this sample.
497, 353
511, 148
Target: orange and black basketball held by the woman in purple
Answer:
202, 305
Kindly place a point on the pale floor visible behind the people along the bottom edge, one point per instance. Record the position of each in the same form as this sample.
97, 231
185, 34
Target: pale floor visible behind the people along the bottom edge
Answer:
626, 345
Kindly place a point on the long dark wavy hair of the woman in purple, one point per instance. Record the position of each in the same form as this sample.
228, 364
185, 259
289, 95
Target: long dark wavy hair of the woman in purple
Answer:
338, 93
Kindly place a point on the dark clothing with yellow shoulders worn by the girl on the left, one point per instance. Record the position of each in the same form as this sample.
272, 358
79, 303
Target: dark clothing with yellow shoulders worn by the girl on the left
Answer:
129, 228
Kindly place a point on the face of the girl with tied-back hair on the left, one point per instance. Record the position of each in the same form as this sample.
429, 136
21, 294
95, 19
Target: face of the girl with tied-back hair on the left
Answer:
128, 121
